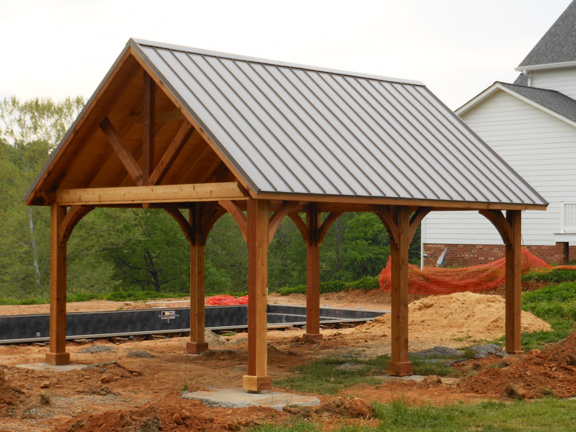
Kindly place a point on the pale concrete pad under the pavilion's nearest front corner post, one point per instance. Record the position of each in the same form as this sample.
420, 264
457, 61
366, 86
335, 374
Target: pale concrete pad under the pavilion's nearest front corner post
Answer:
238, 398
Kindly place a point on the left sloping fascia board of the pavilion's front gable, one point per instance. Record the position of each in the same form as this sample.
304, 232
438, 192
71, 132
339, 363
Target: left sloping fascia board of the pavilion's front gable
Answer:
36, 191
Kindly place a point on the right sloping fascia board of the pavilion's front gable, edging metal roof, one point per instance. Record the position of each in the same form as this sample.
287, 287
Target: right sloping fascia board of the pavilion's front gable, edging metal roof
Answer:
140, 58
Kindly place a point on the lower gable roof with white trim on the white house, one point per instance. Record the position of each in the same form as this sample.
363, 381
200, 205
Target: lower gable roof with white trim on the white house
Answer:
550, 101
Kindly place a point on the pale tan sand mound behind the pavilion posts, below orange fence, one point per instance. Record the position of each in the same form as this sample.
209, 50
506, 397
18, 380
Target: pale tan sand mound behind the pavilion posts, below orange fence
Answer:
466, 316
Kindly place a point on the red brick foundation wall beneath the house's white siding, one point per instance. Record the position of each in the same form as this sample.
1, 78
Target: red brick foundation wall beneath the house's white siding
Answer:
463, 255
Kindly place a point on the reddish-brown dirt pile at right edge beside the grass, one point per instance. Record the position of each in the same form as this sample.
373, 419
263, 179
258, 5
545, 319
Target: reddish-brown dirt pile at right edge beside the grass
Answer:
531, 375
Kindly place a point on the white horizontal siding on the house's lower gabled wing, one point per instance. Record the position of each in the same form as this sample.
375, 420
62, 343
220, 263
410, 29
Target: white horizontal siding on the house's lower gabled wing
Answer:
541, 148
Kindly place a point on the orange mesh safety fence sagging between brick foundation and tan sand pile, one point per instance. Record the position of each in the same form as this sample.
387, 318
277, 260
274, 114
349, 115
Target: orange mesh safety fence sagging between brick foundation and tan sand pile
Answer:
438, 280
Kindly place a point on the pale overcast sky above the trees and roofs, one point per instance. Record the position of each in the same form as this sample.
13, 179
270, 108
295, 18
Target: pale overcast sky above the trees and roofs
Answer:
59, 48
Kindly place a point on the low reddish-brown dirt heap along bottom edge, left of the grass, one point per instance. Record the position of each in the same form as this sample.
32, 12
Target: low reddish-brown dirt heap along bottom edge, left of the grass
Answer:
173, 414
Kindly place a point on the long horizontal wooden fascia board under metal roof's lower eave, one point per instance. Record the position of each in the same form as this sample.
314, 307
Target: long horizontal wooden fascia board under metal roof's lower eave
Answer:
351, 201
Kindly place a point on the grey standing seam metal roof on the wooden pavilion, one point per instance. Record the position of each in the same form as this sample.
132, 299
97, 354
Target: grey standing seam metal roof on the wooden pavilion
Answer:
296, 129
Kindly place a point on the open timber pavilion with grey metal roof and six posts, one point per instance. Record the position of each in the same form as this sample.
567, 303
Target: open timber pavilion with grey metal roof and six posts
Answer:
200, 133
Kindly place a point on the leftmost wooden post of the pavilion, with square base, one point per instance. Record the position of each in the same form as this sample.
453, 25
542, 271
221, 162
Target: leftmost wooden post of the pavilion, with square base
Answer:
57, 354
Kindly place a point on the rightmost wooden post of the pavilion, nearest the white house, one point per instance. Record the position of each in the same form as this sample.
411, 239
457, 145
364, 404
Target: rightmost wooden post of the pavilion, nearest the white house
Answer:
513, 282
